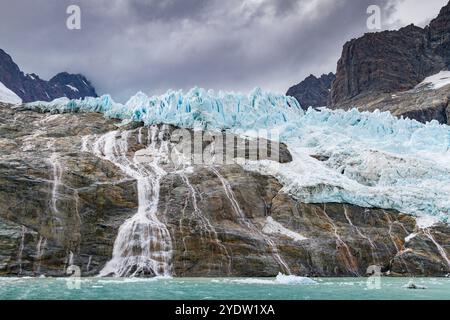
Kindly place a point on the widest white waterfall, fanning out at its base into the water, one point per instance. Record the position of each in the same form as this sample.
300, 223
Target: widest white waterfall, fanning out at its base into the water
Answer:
143, 245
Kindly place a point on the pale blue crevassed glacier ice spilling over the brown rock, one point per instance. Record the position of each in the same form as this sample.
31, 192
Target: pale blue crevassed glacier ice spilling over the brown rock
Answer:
361, 158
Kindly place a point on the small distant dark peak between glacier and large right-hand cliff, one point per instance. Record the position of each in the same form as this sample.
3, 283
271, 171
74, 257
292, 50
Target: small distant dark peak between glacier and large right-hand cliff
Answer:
313, 92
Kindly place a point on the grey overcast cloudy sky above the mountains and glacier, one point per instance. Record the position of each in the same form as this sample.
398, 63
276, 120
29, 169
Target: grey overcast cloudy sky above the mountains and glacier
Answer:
154, 45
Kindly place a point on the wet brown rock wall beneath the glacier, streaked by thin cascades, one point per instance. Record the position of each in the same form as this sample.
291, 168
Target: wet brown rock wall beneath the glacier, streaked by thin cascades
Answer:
62, 205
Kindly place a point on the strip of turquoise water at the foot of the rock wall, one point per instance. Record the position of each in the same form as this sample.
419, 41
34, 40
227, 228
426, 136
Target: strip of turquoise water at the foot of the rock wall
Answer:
222, 289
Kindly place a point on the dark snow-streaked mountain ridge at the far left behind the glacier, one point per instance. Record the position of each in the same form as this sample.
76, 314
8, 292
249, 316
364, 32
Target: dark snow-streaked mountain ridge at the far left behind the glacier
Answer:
32, 88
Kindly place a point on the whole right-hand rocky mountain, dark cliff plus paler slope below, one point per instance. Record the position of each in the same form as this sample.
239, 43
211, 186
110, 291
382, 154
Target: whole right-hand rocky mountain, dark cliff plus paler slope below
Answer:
381, 70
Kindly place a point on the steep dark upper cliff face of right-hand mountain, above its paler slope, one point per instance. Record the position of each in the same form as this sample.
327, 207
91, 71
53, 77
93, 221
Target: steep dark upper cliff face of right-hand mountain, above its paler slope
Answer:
391, 62
